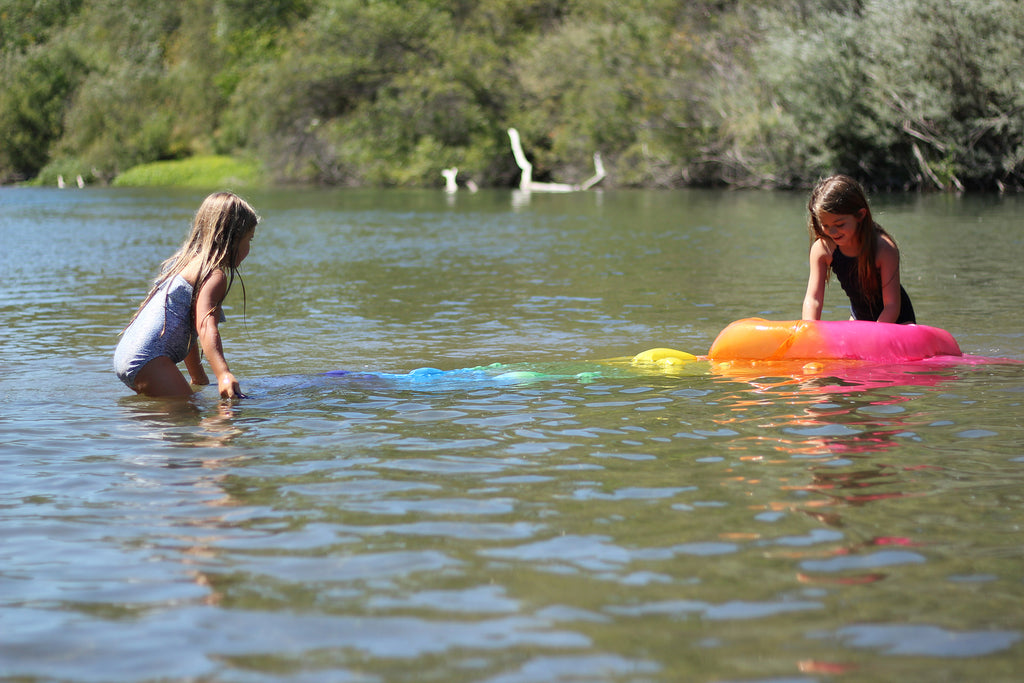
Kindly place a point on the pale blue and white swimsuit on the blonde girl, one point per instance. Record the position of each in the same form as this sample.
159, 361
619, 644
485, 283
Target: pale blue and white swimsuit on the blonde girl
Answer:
164, 327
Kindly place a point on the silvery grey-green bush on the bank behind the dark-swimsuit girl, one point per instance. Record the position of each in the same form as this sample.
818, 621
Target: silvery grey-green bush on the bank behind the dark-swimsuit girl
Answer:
903, 94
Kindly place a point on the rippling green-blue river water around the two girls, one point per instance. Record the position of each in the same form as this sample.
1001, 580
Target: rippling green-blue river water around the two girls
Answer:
527, 511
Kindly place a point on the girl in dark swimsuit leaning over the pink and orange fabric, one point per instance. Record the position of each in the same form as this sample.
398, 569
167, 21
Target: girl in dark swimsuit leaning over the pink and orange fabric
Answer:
845, 240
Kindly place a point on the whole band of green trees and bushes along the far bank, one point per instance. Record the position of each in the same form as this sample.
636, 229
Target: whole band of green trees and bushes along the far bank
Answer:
903, 94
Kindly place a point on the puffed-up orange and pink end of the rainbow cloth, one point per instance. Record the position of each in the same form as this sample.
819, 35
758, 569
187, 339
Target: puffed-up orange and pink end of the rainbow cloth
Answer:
756, 339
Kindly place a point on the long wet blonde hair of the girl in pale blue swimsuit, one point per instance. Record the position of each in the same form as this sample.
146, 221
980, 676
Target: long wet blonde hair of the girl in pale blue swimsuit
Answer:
223, 221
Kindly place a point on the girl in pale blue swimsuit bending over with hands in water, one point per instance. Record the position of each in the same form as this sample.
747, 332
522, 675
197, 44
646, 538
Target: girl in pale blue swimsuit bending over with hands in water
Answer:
183, 312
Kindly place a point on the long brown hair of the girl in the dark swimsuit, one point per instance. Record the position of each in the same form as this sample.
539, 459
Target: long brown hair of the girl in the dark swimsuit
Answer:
841, 195
